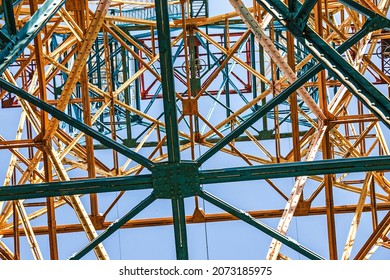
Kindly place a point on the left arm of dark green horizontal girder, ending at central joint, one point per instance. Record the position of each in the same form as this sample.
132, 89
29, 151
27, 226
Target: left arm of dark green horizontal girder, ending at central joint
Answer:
76, 187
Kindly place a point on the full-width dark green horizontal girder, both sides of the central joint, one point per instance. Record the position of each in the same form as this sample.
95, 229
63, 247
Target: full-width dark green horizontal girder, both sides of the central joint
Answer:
250, 173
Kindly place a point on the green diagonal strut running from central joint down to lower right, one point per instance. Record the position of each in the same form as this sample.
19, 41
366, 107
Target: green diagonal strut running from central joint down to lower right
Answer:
244, 216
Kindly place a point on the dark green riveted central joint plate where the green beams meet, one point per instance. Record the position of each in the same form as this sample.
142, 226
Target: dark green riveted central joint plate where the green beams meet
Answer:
176, 180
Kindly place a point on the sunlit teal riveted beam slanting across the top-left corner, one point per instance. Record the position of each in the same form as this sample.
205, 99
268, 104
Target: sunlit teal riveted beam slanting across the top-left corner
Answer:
28, 32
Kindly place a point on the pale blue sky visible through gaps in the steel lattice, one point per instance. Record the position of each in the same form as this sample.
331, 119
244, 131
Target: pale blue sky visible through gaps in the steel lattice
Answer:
227, 240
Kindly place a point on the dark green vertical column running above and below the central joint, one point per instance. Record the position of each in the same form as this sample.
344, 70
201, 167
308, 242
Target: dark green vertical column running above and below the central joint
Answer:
169, 99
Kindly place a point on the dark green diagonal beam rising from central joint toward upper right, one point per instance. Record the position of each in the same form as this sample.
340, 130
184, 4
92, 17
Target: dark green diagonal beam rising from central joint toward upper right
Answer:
282, 96
